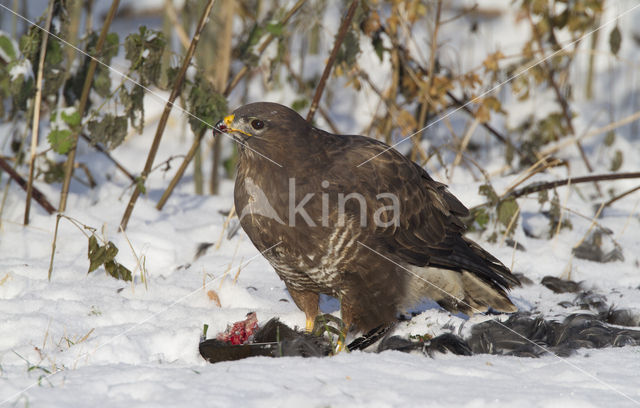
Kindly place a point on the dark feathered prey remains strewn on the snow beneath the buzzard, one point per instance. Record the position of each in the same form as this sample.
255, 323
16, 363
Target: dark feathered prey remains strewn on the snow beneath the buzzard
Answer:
521, 335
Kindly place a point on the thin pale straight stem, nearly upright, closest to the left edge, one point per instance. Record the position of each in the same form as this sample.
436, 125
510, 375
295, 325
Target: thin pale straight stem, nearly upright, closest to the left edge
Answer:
36, 111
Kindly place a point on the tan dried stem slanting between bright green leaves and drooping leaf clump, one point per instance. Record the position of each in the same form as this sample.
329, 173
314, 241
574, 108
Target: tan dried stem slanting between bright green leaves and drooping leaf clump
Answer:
68, 170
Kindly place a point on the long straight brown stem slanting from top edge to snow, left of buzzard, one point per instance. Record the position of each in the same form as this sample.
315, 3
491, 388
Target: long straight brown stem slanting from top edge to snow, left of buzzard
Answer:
177, 86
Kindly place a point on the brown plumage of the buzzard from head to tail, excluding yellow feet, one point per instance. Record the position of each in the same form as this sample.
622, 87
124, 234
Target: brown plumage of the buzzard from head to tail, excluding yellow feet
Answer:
377, 258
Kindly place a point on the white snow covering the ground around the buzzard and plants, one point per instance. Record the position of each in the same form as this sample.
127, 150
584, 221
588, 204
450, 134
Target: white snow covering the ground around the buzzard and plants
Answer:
89, 339
